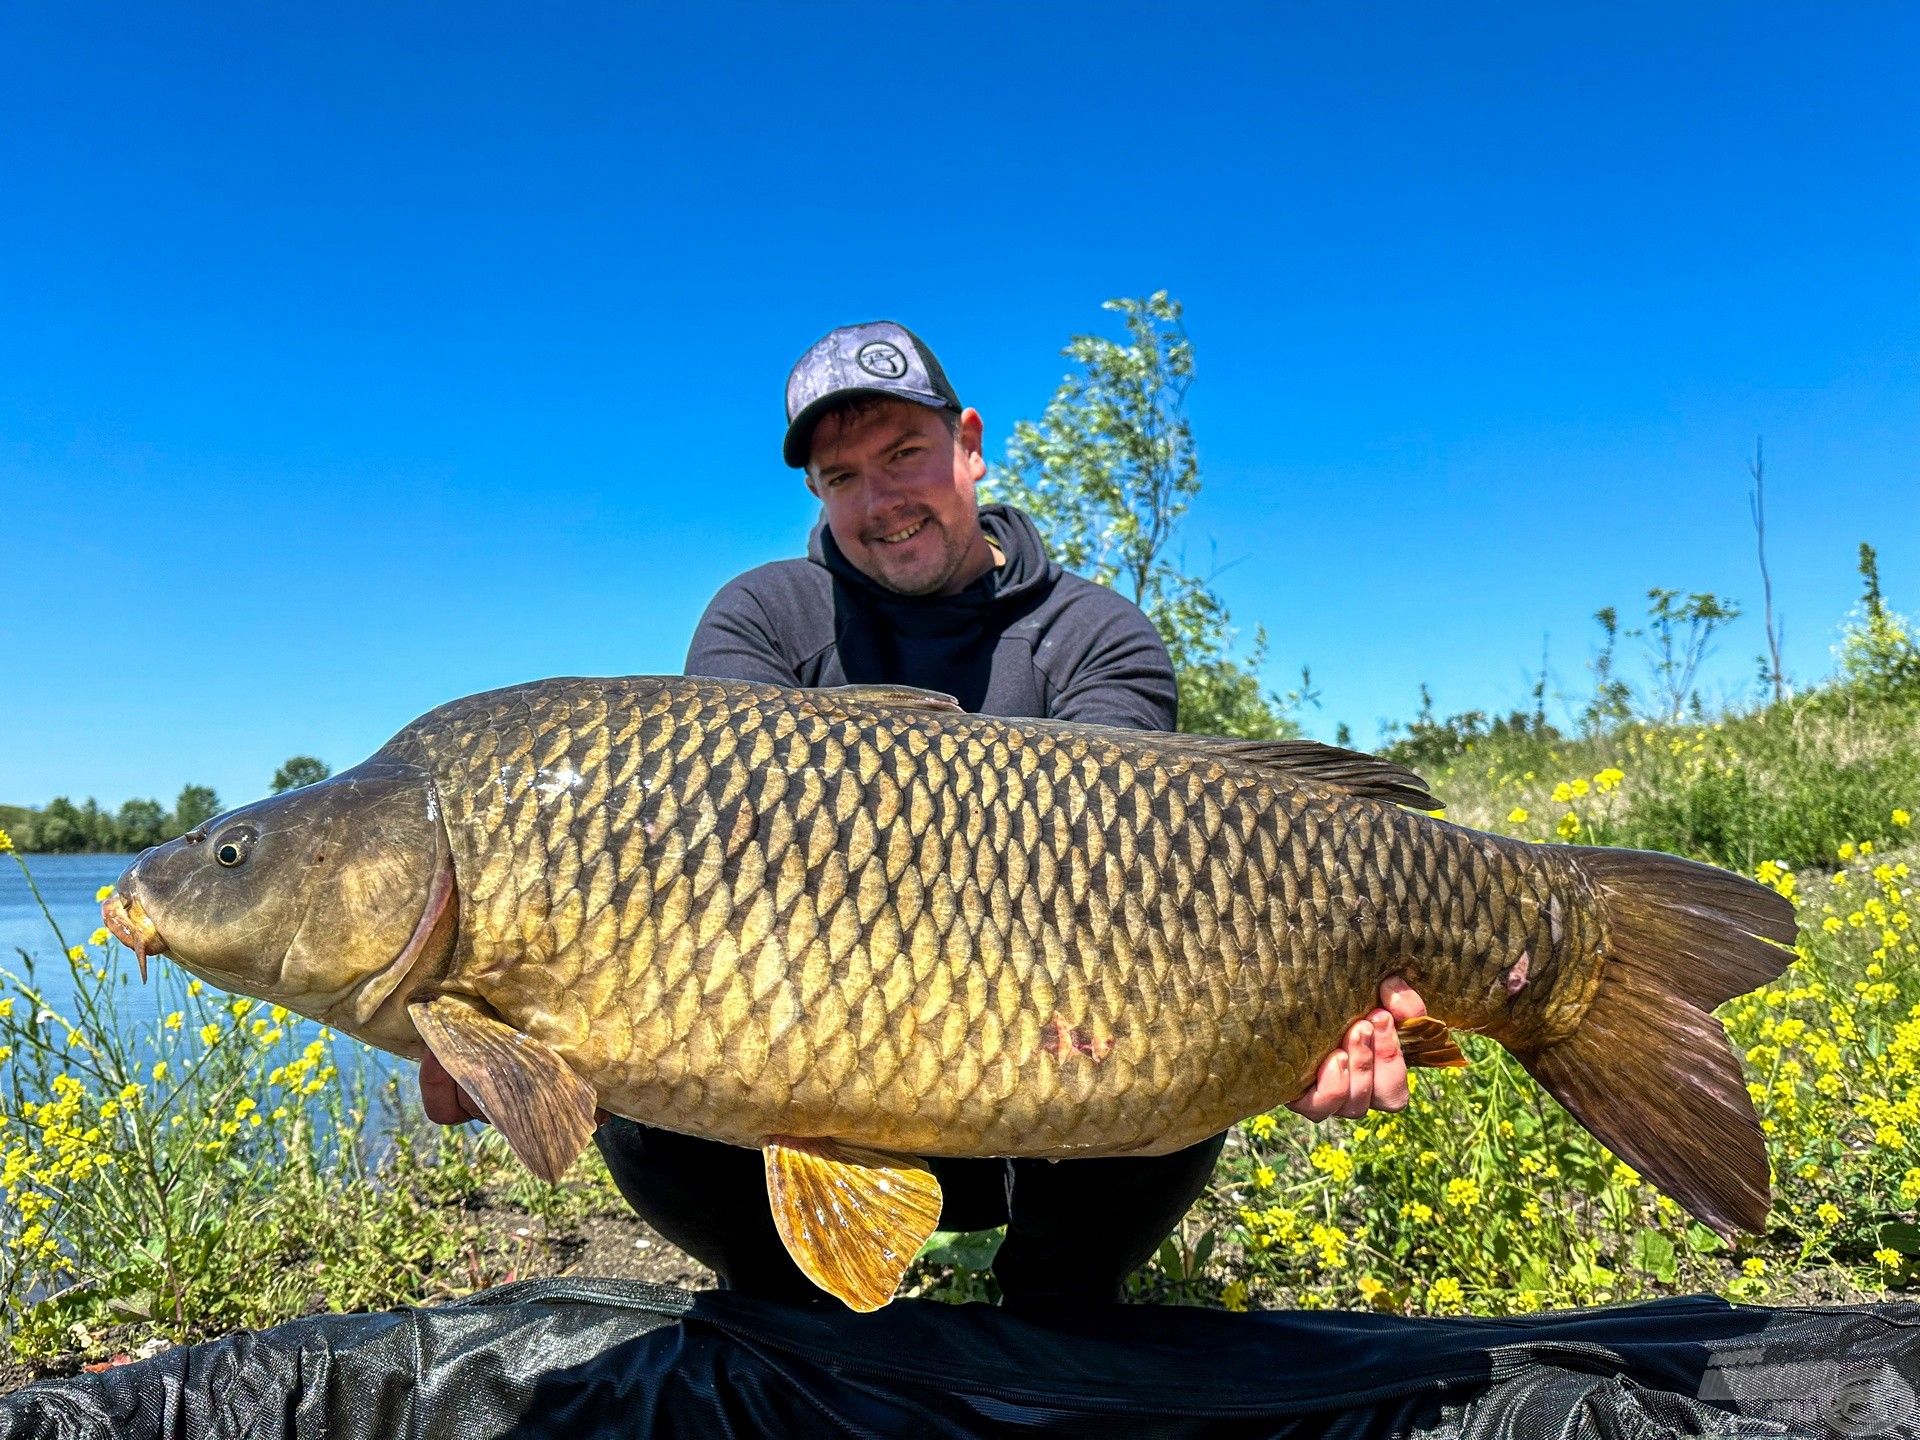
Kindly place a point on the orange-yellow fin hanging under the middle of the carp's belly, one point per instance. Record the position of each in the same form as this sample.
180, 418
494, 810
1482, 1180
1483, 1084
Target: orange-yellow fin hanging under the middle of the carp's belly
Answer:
852, 1218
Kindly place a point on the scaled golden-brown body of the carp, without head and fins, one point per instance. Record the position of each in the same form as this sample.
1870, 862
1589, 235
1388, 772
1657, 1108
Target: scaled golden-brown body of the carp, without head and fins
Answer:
746, 913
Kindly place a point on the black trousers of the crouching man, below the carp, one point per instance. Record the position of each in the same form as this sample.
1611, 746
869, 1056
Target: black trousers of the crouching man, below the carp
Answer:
1074, 1228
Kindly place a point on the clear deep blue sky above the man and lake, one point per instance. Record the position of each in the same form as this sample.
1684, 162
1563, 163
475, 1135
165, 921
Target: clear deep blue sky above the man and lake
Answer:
360, 358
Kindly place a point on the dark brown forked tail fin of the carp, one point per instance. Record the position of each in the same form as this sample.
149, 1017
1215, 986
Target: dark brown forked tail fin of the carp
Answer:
1650, 1070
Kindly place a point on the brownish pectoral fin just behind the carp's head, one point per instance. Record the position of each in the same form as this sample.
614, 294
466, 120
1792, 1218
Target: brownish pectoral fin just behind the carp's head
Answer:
525, 1088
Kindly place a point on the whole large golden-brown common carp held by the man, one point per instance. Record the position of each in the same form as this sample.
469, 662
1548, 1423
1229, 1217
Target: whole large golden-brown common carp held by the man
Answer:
861, 926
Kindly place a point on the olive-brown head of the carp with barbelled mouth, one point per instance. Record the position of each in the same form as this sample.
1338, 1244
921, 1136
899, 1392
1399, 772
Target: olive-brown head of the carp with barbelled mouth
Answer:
324, 900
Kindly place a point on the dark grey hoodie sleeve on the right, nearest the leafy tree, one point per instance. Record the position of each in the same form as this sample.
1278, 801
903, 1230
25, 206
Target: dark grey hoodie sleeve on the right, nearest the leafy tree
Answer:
1118, 673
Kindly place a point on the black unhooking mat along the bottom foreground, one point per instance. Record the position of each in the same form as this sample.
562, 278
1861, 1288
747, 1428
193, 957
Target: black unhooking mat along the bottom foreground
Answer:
602, 1358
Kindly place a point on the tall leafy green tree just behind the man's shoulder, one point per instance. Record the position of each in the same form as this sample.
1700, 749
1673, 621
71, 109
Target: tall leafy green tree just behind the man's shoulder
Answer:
1107, 475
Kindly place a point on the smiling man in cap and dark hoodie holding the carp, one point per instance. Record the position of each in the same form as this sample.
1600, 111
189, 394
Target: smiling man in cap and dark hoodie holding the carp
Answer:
909, 581
